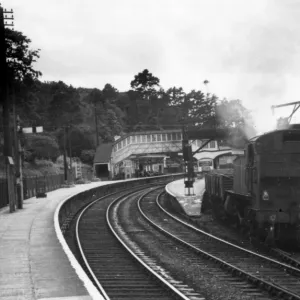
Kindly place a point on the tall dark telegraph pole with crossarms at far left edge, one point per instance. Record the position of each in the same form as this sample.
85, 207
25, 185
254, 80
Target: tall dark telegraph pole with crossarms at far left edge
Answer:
6, 108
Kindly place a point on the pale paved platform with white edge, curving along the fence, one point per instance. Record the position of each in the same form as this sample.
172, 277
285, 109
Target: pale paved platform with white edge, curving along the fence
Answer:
33, 264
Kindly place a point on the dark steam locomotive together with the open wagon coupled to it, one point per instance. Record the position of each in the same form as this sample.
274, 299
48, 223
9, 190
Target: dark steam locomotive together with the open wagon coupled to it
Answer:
261, 192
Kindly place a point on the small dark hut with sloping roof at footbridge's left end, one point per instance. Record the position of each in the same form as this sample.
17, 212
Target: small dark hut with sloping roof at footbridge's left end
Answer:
102, 161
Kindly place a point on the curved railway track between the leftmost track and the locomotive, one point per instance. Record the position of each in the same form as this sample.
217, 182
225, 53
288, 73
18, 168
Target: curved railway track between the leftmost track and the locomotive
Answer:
273, 276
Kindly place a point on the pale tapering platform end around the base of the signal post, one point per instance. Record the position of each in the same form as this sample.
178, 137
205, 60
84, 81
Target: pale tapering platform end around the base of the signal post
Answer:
190, 204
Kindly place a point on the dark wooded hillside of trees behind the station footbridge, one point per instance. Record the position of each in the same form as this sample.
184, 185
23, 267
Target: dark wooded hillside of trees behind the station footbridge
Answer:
94, 116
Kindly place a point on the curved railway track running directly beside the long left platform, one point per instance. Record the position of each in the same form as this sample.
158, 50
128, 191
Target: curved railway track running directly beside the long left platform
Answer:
115, 269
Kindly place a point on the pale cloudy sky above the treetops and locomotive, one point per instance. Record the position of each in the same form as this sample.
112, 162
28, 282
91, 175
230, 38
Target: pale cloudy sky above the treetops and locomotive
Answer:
247, 50
